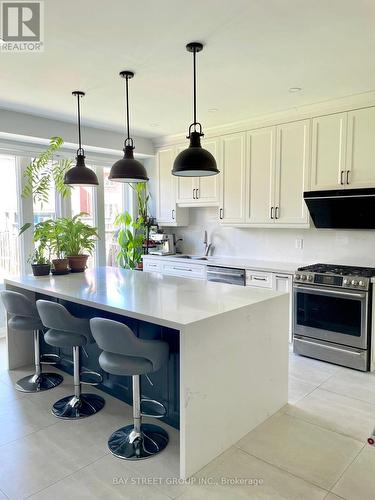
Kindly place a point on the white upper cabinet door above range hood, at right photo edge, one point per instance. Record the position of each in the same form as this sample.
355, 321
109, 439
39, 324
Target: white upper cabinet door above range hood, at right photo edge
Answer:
361, 148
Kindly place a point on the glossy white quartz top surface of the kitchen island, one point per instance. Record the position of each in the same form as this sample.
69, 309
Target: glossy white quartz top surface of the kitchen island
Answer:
163, 300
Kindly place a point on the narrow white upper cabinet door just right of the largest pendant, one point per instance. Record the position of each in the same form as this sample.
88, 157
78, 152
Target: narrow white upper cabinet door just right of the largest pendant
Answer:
232, 209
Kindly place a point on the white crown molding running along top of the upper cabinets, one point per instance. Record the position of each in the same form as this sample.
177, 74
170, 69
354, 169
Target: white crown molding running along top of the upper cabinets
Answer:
339, 105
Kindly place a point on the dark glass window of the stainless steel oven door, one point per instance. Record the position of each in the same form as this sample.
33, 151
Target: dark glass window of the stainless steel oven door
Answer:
333, 314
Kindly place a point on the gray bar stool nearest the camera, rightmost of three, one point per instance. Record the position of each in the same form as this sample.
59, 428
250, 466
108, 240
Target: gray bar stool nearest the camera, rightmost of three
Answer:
125, 354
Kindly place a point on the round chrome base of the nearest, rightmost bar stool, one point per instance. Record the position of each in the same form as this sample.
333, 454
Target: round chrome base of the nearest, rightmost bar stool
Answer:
125, 443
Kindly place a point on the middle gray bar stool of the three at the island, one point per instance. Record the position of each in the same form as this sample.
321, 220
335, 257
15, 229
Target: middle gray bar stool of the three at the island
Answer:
66, 330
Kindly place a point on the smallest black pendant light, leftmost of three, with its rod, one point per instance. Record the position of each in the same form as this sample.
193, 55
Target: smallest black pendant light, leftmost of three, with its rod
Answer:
80, 175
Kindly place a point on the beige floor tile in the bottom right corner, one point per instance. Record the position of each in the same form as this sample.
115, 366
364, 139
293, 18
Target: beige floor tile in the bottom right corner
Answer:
358, 481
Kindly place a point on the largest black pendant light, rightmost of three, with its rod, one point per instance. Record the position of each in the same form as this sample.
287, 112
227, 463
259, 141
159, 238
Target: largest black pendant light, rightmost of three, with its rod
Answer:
195, 161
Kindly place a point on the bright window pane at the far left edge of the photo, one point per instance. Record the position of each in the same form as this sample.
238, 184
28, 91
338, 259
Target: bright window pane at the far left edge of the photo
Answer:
9, 217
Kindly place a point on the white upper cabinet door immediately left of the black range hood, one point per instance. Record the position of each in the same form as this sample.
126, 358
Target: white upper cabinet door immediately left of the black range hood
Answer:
292, 171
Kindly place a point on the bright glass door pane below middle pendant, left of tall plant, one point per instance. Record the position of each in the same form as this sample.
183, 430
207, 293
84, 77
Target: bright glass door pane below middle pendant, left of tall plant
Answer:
113, 205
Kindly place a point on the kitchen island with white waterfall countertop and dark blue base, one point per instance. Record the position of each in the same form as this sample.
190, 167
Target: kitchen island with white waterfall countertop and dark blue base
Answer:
229, 347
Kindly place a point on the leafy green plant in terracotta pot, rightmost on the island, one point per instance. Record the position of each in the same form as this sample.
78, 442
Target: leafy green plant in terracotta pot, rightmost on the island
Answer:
78, 241
